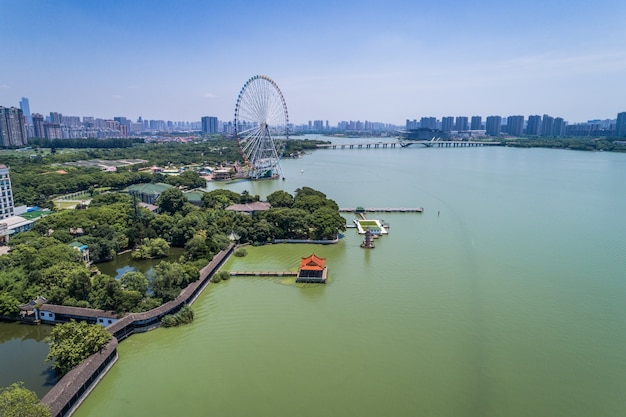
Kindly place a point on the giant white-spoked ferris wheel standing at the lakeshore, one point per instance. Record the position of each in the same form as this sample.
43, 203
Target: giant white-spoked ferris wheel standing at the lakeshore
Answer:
261, 126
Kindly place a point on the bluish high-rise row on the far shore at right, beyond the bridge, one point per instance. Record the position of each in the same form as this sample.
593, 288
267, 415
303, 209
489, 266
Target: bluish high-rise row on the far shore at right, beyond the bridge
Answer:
518, 125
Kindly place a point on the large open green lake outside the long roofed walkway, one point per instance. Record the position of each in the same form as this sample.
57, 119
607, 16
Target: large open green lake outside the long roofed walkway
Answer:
504, 298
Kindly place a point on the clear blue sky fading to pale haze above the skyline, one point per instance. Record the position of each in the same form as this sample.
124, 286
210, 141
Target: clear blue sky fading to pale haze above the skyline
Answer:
383, 61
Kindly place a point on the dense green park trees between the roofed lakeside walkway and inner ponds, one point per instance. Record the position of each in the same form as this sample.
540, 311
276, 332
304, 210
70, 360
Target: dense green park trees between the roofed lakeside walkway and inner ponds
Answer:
41, 262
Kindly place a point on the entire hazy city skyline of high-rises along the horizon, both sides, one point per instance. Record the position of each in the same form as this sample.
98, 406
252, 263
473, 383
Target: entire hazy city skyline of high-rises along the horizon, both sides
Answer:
17, 125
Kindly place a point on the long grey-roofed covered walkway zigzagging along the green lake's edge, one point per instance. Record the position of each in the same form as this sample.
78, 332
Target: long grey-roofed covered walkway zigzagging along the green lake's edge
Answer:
70, 391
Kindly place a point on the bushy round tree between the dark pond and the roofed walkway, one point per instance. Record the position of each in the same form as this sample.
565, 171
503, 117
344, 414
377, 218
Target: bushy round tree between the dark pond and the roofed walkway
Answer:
73, 342
